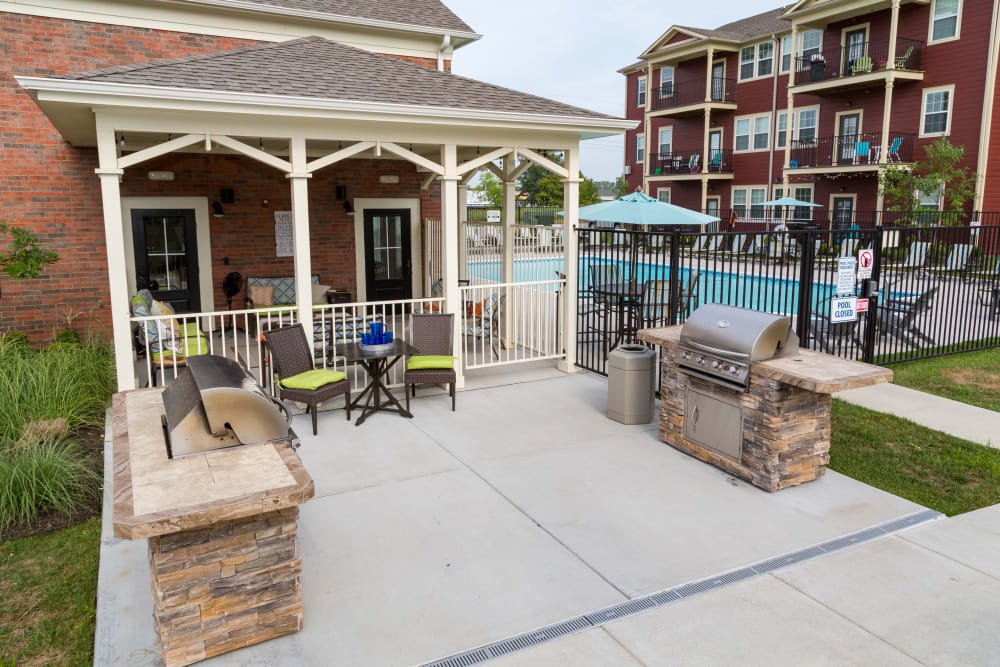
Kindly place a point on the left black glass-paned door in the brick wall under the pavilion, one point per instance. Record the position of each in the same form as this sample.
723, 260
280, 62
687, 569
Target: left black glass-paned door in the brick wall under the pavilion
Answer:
166, 256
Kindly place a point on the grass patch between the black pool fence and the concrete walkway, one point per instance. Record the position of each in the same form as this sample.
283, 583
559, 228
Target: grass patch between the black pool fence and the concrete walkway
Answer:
970, 377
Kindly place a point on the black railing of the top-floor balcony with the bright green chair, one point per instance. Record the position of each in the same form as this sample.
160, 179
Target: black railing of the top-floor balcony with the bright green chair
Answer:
857, 59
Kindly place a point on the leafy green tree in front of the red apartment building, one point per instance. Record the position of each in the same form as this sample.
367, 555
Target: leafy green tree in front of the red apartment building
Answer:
939, 172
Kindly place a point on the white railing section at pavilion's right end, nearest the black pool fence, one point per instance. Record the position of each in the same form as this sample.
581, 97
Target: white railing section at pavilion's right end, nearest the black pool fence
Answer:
509, 323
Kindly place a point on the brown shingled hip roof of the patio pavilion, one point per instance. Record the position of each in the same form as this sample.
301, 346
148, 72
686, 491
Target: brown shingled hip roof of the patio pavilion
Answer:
314, 67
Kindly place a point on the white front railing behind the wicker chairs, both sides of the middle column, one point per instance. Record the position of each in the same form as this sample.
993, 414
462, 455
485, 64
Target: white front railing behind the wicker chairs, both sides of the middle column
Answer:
166, 340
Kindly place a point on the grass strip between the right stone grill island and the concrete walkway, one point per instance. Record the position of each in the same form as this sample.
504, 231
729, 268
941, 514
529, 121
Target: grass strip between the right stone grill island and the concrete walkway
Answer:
928, 467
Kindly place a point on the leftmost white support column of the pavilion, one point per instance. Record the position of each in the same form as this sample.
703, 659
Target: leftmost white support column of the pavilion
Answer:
114, 235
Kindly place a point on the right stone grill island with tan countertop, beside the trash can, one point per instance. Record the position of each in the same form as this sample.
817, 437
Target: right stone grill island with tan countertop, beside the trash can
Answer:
785, 413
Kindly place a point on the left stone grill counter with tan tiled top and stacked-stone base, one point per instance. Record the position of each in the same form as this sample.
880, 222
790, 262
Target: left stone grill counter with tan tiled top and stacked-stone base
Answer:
221, 525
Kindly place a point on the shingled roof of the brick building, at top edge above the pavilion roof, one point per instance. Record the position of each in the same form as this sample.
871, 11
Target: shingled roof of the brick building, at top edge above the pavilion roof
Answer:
423, 13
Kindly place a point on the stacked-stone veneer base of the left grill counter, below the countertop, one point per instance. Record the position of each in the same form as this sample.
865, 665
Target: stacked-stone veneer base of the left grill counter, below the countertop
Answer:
227, 586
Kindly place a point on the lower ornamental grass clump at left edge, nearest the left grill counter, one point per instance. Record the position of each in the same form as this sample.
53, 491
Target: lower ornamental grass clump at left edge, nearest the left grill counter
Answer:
53, 473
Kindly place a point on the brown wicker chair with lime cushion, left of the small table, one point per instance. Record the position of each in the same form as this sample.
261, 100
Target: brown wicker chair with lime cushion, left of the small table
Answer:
291, 356
